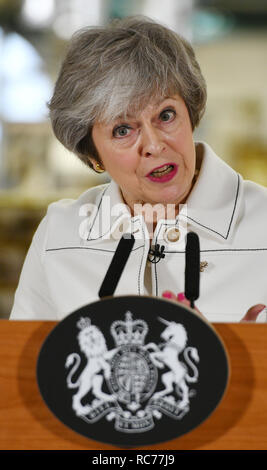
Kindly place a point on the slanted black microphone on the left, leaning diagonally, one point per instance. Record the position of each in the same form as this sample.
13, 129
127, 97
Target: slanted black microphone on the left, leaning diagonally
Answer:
117, 265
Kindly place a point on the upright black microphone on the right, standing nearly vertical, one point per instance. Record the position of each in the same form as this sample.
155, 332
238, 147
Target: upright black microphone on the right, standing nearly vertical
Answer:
192, 267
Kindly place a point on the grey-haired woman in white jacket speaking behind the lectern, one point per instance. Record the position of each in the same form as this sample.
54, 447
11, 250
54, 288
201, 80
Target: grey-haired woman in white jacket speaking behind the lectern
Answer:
126, 101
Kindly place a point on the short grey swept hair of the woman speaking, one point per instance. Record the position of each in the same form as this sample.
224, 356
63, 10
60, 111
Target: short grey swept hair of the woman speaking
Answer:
113, 70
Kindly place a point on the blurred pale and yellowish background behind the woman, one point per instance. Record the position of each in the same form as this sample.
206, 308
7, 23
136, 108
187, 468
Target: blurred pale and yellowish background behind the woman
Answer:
230, 40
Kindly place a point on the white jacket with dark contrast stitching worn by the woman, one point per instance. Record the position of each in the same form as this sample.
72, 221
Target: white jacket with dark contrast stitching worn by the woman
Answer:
74, 244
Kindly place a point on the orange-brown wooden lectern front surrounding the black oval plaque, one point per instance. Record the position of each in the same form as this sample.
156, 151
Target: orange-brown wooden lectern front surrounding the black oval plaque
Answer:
239, 422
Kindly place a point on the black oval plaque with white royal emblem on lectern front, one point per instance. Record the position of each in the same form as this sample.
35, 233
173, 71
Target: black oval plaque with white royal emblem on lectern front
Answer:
132, 371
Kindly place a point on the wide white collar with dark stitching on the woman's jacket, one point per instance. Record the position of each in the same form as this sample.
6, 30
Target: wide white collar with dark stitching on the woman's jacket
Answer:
213, 205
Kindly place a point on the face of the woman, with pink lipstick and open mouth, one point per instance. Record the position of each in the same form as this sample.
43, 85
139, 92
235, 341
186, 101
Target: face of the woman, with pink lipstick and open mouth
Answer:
151, 155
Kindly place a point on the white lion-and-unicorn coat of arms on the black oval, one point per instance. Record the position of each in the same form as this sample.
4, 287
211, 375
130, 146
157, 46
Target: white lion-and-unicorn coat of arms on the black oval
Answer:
141, 381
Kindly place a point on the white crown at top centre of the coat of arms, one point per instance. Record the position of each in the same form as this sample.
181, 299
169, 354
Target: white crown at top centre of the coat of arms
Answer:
129, 331
